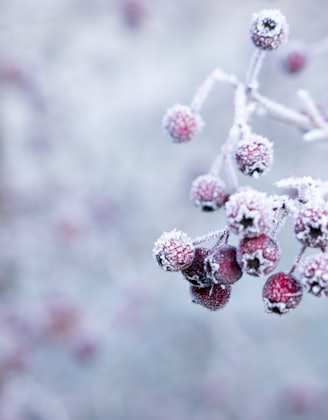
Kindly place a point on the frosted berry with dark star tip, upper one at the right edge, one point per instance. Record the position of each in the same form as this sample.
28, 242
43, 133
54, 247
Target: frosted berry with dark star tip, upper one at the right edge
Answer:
311, 226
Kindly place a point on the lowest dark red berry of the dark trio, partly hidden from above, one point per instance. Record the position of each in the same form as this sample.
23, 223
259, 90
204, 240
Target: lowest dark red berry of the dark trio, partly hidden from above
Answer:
212, 298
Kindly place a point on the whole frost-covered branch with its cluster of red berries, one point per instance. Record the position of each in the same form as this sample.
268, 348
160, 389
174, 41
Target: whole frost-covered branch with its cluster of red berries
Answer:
253, 217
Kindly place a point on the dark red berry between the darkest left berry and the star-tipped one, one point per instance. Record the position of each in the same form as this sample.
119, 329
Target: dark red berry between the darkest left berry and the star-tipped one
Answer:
221, 265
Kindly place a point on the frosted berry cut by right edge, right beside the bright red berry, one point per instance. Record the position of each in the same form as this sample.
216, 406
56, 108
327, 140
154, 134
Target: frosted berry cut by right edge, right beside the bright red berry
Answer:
314, 274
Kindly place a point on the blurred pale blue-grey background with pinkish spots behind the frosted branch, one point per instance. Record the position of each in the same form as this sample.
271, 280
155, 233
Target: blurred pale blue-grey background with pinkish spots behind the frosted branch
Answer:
91, 328
